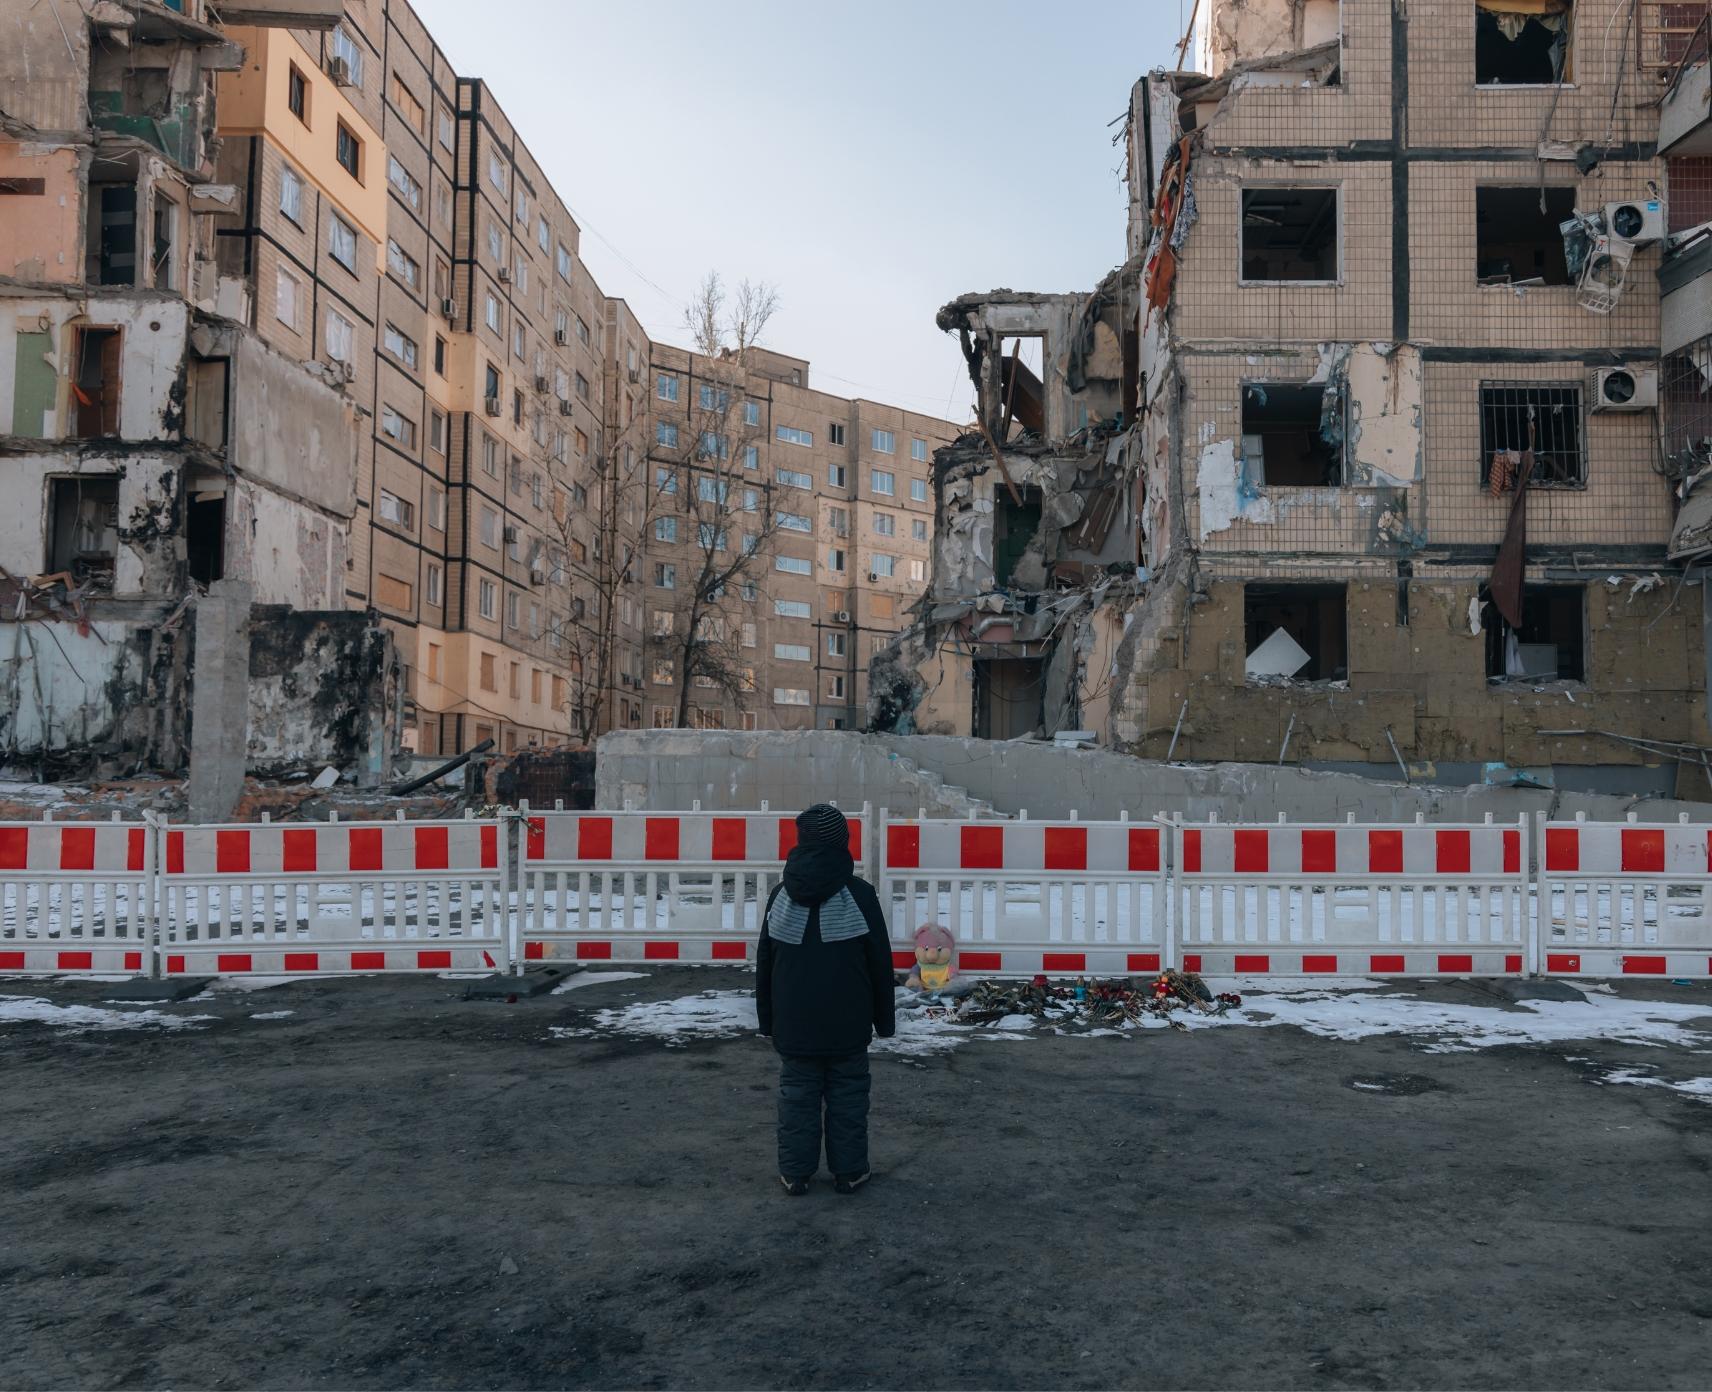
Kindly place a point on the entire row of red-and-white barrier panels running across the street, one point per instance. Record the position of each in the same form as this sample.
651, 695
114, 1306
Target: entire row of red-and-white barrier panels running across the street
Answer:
1021, 898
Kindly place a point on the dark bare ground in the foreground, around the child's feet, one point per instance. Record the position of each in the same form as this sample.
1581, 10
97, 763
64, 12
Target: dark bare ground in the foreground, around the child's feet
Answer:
393, 1187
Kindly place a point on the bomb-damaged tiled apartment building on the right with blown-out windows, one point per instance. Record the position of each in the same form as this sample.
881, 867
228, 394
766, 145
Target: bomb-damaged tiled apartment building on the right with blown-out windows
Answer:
1365, 458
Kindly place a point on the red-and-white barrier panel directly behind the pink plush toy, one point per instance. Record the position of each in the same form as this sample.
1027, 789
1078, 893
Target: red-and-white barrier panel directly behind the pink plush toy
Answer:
1030, 898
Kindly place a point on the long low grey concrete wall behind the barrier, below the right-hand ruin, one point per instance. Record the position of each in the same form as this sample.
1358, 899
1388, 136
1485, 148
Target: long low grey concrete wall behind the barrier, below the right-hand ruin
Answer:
667, 770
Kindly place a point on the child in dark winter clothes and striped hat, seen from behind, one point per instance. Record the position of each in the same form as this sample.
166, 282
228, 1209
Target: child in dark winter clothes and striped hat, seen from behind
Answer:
823, 992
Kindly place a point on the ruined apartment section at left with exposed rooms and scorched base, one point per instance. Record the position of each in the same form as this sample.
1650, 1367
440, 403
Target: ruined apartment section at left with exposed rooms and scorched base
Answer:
155, 449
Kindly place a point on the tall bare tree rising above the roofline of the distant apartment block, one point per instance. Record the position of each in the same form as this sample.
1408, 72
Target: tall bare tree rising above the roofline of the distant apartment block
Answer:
723, 506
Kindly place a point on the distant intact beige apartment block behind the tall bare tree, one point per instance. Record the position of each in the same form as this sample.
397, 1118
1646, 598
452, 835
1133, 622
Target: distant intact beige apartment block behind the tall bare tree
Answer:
826, 509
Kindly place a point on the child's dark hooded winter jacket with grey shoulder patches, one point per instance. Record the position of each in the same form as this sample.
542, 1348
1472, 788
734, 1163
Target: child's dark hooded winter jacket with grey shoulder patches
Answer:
826, 999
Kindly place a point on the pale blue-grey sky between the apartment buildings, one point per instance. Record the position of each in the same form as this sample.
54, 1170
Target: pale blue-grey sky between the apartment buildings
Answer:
871, 160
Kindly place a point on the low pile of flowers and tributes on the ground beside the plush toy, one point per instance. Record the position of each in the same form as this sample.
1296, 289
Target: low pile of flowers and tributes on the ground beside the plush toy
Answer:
1110, 1004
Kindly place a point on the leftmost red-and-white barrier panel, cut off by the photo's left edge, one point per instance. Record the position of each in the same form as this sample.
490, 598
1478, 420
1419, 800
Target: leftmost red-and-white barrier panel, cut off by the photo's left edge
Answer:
78, 898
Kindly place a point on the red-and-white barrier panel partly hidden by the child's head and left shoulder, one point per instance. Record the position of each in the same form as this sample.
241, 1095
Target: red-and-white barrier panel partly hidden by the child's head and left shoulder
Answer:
653, 886
